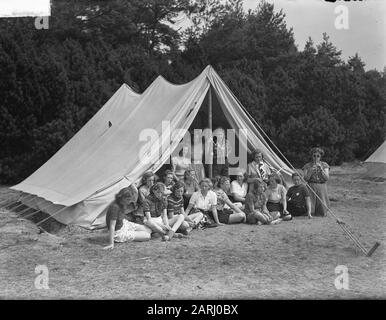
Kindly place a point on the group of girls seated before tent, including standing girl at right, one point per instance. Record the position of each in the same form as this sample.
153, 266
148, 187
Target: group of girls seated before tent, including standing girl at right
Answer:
174, 207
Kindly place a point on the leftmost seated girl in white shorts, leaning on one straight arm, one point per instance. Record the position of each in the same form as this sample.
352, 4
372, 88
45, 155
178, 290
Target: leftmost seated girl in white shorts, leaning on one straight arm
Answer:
120, 229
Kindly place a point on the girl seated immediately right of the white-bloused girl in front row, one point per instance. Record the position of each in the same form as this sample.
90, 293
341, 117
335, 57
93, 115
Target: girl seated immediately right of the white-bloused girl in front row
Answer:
227, 211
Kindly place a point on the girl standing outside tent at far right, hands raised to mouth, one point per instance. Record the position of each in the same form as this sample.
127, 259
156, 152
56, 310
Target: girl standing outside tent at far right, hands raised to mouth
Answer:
316, 173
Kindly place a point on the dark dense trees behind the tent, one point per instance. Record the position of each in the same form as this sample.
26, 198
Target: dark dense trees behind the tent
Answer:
53, 81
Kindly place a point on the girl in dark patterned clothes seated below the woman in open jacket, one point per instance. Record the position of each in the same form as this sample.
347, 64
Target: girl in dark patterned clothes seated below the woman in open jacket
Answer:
256, 206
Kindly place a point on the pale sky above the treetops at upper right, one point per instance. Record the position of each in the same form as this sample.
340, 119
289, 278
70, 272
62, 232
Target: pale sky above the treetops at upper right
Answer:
366, 34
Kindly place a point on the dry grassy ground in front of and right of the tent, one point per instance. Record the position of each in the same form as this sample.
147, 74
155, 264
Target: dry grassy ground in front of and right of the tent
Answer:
296, 259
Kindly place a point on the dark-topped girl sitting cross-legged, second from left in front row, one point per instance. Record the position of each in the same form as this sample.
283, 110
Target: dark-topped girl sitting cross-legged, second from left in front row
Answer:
155, 210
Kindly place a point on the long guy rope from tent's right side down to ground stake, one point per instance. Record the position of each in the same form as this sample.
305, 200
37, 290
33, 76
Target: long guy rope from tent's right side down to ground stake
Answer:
352, 237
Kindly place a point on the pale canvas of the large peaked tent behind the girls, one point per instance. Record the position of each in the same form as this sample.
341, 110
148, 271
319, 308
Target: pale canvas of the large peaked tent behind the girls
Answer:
79, 182
